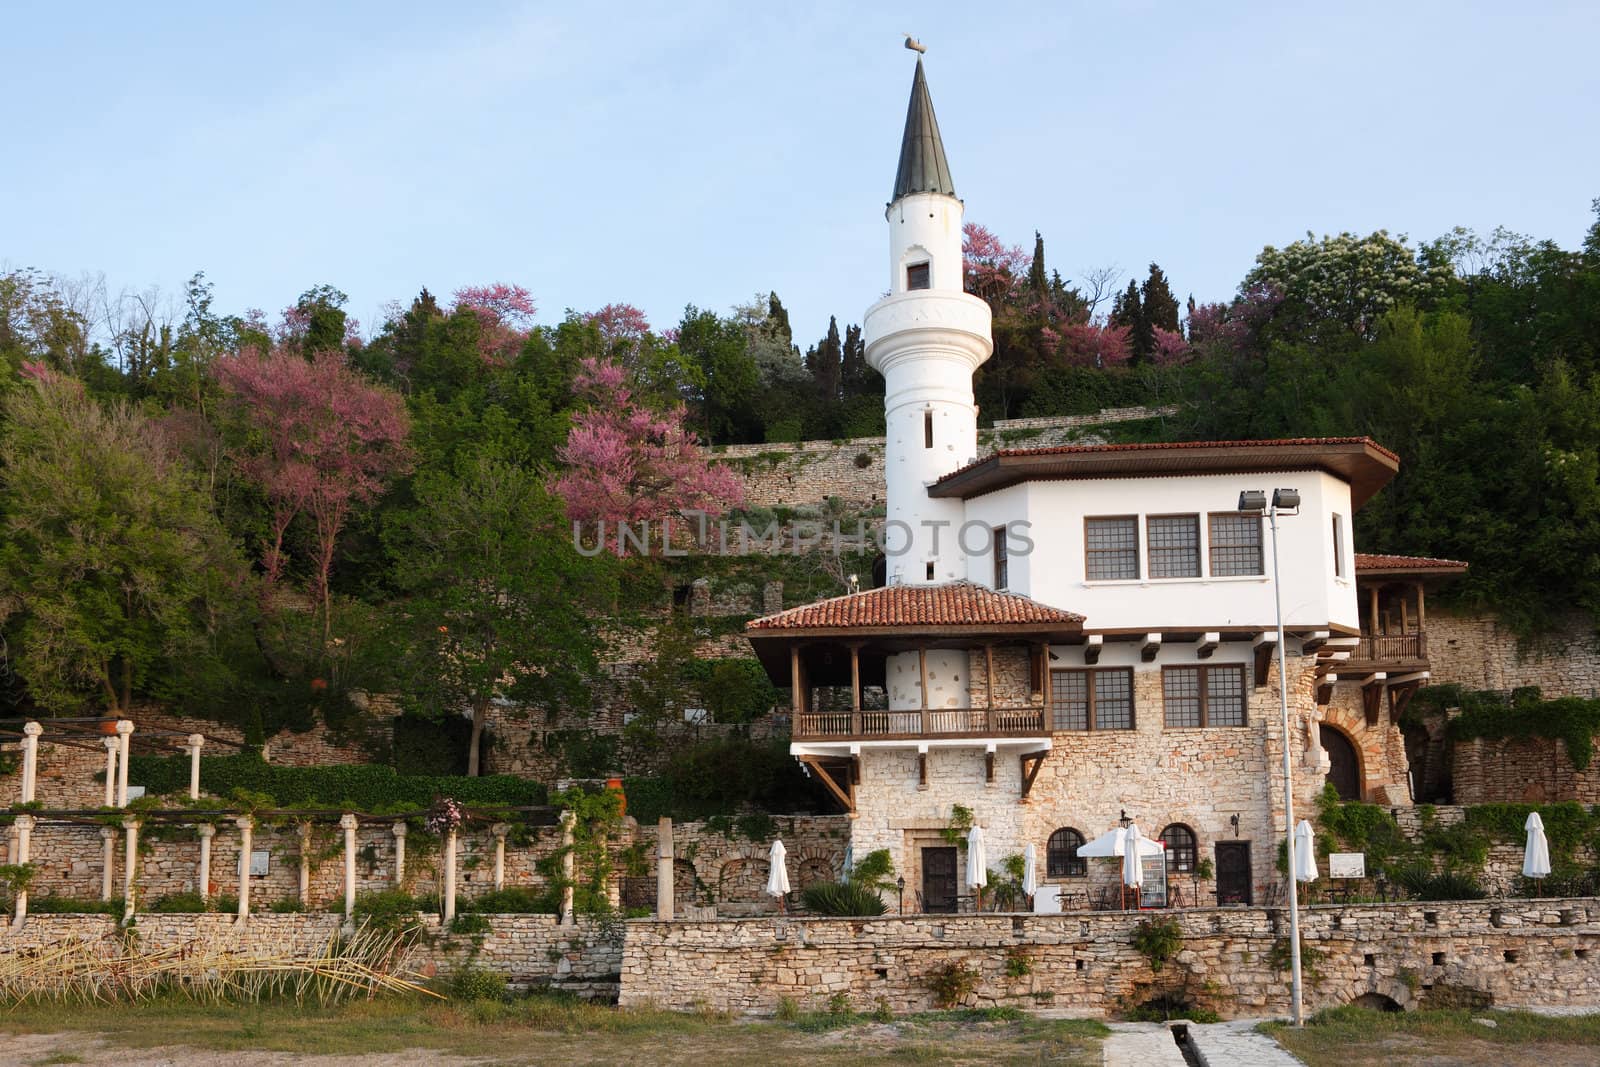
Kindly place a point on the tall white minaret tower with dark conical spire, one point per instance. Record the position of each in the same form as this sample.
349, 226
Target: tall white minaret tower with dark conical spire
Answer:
927, 338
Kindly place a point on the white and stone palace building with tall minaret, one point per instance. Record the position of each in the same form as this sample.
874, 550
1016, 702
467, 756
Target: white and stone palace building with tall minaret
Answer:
1073, 637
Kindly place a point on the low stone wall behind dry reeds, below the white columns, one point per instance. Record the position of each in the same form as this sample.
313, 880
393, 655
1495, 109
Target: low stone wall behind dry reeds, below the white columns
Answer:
529, 949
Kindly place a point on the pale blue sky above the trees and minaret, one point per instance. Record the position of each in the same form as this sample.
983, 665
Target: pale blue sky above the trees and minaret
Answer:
702, 153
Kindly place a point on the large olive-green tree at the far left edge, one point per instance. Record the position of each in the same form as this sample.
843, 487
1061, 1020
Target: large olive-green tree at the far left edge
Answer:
111, 561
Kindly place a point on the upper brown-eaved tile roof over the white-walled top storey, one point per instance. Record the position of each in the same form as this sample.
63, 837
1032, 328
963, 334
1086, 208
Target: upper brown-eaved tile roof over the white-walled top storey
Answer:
1361, 462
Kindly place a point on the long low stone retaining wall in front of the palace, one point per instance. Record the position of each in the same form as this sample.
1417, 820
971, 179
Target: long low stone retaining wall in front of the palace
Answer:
1526, 953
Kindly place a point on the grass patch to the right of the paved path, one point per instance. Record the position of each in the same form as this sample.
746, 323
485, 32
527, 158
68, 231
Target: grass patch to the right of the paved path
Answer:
1343, 1036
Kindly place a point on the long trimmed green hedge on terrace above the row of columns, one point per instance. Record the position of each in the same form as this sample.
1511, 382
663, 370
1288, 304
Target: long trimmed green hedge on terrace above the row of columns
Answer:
359, 786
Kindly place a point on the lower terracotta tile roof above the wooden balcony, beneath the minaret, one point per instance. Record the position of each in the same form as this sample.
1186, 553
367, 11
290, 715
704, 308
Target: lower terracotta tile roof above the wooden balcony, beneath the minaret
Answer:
951, 604
